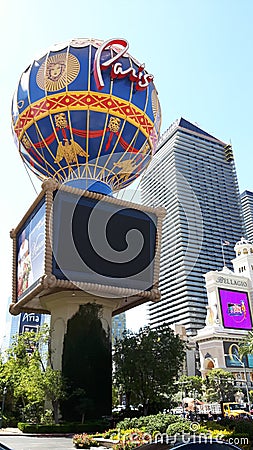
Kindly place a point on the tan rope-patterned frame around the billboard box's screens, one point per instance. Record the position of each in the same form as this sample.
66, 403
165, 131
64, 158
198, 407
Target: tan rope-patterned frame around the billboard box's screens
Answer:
48, 283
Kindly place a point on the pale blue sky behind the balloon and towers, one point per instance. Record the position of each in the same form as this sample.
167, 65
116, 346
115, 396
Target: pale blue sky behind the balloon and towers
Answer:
199, 51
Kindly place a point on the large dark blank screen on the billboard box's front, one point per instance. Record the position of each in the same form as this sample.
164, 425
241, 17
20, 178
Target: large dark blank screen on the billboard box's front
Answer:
103, 243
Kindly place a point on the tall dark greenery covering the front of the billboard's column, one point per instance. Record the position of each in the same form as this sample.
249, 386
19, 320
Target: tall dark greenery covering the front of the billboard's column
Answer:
87, 366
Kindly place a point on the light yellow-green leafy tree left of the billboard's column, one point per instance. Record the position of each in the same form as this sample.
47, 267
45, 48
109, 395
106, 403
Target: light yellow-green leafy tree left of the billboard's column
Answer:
29, 379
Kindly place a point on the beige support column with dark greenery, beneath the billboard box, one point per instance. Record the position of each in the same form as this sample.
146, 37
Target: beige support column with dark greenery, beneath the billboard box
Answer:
81, 349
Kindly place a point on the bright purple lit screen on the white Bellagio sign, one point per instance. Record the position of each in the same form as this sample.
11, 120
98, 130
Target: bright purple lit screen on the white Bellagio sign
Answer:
235, 309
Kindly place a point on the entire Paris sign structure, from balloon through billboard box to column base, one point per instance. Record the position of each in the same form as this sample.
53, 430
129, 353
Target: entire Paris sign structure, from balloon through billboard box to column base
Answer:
86, 120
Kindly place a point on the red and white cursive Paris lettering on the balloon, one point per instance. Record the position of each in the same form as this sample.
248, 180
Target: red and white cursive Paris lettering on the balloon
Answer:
141, 78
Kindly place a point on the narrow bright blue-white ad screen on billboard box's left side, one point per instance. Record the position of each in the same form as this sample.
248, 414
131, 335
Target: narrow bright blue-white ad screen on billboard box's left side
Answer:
31, 250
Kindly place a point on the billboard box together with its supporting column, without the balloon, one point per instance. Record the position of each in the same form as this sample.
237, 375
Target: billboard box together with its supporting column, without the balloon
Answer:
62, 274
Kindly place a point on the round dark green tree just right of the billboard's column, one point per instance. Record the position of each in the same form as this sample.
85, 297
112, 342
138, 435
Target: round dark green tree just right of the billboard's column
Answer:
146, 365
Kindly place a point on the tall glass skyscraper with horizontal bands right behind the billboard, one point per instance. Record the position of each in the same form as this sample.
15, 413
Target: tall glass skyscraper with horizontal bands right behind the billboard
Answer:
193, 176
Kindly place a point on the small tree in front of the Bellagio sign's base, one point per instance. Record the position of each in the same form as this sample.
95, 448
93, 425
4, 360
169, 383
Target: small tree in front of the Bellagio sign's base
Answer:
219, 385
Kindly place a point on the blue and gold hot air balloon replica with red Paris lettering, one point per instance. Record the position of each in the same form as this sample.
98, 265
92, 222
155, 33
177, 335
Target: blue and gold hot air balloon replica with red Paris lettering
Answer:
87, 114
